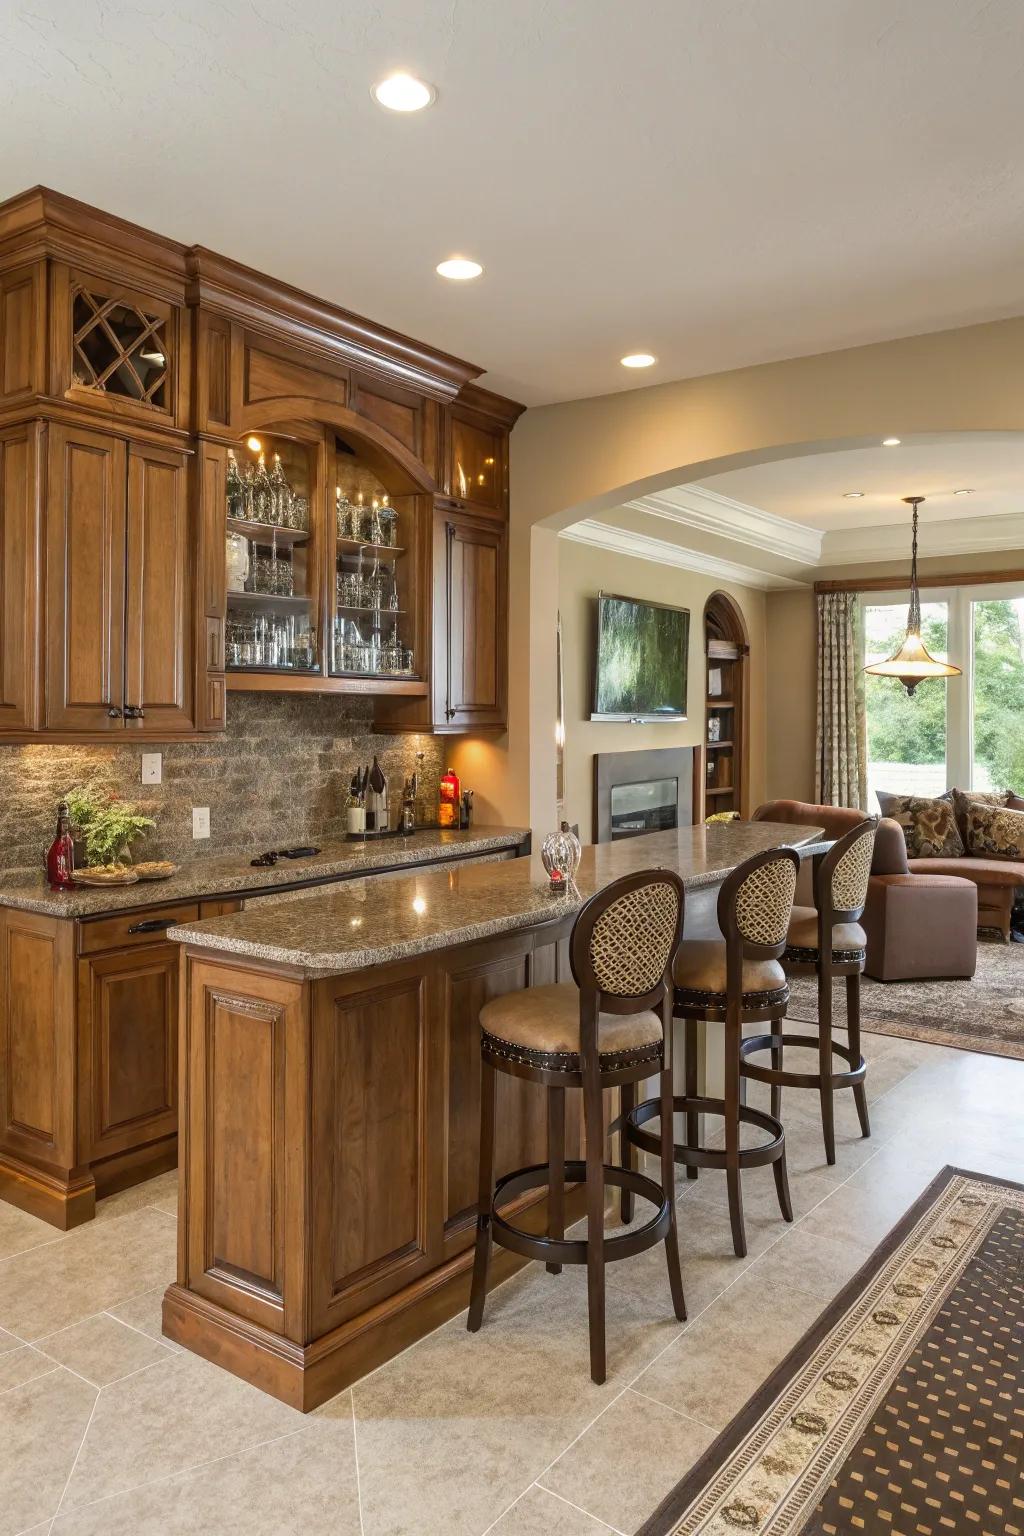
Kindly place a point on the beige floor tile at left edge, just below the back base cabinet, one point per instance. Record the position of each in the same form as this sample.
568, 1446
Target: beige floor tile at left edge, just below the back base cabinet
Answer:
87, 1271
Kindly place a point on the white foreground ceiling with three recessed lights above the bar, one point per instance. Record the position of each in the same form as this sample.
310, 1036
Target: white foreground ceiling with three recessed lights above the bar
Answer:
721, 182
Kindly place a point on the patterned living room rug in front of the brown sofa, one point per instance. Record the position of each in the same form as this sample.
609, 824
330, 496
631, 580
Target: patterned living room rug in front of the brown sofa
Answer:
983, 1015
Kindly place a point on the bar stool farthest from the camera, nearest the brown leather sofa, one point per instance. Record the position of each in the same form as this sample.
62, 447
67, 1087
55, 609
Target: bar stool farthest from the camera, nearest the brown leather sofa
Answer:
827, 942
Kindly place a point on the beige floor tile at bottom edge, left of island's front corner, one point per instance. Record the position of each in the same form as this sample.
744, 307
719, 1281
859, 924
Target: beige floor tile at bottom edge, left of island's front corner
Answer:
303, 1485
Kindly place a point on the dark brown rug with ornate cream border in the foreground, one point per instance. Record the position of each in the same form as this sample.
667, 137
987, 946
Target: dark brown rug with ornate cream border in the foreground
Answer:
902, 1412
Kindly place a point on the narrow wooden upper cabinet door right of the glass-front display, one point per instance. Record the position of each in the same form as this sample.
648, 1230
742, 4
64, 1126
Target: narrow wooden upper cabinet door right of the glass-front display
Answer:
472, 657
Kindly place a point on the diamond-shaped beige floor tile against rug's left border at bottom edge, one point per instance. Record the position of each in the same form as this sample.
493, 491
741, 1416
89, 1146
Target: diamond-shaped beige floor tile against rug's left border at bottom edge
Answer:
629, 1460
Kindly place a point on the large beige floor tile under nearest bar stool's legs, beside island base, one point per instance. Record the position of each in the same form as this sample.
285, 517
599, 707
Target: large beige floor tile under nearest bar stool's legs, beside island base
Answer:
457, 1429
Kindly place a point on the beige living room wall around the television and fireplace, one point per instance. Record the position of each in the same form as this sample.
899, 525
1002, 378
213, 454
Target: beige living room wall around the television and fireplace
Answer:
584, 572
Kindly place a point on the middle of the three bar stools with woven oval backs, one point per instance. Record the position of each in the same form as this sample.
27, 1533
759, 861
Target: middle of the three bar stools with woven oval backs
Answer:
733, 981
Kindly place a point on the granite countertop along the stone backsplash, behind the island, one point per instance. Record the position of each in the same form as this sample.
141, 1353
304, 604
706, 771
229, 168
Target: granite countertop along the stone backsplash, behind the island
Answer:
234, 875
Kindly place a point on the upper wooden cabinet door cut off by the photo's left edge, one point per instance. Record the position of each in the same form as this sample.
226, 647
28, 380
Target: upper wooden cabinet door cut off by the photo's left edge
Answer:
19, 580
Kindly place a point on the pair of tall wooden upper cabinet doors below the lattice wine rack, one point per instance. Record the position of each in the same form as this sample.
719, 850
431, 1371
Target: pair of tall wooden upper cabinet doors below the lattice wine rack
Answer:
117, 577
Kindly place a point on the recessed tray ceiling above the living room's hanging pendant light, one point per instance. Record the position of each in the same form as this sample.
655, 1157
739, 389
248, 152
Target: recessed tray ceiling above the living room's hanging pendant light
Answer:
811, 489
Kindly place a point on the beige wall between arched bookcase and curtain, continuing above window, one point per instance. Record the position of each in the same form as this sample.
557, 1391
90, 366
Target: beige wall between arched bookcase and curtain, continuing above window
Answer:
793, 657
